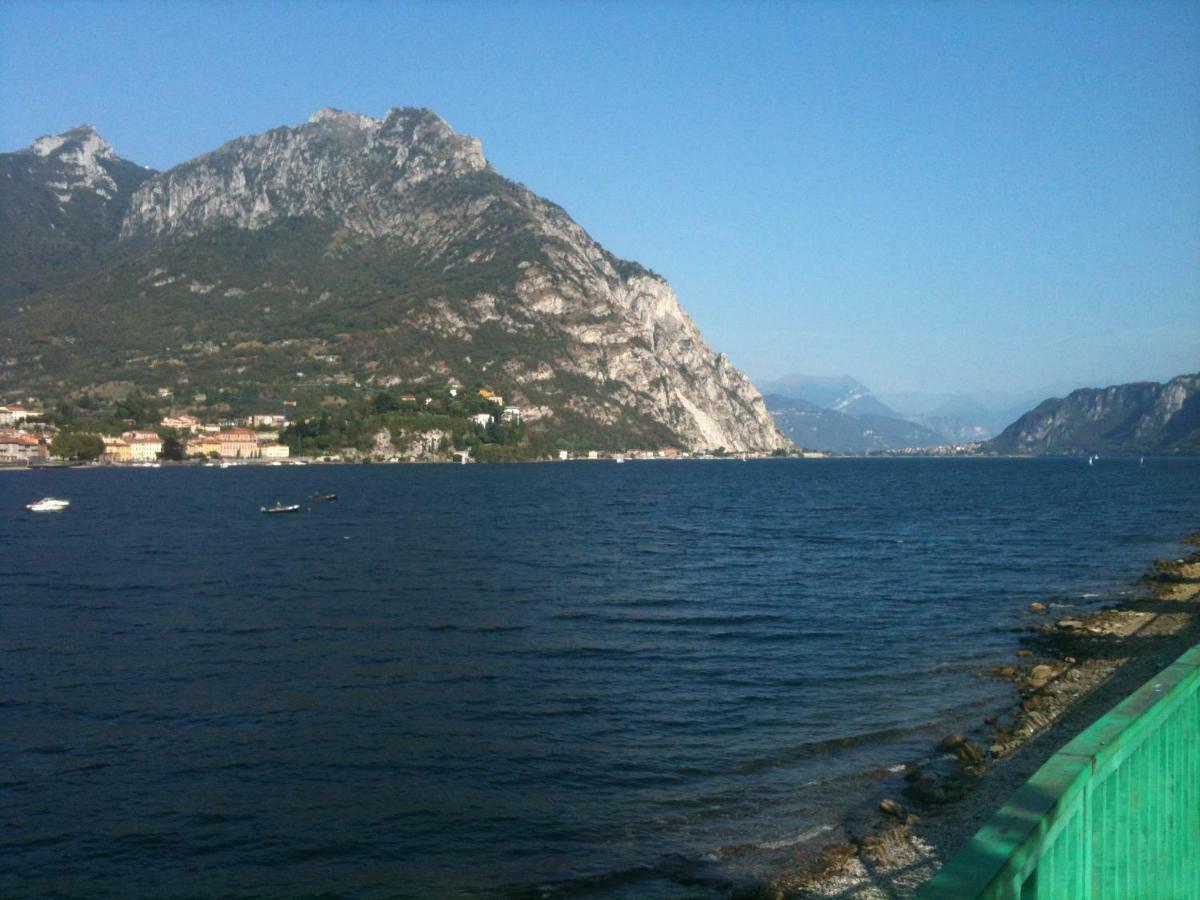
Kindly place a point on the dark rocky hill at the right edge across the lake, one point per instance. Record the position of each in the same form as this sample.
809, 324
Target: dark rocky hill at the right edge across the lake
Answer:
1142, 418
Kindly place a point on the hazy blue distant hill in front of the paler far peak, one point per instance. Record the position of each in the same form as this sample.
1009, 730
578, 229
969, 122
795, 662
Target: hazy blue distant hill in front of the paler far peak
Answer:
818, 429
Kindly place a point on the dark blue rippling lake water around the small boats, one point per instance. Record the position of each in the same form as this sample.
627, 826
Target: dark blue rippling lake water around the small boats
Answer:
555, 681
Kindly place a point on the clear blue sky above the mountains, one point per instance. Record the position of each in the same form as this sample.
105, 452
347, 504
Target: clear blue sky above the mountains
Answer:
928, 196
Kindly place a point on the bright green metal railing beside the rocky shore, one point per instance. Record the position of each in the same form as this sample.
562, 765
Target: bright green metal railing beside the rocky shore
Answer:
1114, 814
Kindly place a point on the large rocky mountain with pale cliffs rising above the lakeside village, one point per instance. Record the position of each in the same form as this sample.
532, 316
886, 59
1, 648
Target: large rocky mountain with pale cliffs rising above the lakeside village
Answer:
345, 255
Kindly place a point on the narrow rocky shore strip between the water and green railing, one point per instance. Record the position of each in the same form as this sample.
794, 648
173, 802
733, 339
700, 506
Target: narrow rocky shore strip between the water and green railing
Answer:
1070, 671
